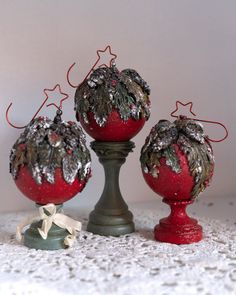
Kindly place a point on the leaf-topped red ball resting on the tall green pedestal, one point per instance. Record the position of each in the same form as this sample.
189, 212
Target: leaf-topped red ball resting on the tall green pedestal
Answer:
112, 105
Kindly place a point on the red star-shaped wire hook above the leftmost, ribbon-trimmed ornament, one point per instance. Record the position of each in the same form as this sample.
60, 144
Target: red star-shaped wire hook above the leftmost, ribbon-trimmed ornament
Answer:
42, 105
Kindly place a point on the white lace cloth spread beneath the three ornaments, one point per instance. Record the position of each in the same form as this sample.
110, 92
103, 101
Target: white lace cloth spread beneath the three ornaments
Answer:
131, 264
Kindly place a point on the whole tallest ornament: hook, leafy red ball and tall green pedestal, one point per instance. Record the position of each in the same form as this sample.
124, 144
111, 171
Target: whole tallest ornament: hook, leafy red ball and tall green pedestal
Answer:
112, 107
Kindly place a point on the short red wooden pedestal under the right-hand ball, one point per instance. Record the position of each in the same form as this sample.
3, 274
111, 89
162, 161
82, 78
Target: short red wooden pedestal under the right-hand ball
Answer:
178, 227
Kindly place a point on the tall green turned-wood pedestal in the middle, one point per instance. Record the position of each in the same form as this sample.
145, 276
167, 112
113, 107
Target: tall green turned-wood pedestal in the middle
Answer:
111, 216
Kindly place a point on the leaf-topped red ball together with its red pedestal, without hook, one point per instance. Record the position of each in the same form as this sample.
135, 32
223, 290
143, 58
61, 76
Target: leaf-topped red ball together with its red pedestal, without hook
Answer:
177, 163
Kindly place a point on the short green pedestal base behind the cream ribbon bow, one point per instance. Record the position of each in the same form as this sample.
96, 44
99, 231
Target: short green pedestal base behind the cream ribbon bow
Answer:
54, 241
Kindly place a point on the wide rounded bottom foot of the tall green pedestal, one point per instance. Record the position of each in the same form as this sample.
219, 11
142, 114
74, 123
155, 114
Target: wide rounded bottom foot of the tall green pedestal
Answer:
110, 225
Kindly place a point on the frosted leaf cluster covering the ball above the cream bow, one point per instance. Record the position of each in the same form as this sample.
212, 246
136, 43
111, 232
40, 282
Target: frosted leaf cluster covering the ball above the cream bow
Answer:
46, 145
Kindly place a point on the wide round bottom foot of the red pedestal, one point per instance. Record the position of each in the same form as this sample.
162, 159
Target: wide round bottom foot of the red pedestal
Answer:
178, 233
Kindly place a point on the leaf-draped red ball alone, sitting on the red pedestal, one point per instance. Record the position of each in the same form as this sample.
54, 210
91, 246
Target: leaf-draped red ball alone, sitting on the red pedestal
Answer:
177, 153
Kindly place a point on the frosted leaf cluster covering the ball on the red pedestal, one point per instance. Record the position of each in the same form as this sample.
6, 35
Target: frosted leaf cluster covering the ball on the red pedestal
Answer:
168, 141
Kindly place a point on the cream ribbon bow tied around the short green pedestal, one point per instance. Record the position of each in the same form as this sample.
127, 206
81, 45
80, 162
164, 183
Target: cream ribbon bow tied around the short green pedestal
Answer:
48, 214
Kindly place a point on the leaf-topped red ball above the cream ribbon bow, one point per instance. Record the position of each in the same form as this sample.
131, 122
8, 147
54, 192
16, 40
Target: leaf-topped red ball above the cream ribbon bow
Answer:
50, 162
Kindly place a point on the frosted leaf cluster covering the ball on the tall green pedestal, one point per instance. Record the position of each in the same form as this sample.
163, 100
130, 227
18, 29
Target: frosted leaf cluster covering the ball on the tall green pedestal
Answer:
107, 89
